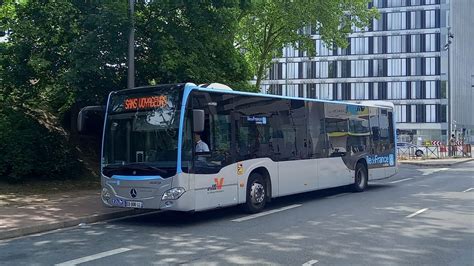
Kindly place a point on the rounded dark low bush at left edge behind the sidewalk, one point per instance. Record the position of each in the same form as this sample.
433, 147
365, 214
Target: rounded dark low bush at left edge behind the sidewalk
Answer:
31, 150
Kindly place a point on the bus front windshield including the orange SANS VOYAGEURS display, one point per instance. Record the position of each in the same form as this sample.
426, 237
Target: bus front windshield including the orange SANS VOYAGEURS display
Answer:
141, 133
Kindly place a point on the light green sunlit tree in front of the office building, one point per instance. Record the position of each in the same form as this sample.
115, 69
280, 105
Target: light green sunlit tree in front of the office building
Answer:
269, 25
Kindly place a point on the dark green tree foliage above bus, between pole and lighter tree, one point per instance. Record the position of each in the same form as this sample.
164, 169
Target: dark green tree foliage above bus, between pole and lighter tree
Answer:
179, 41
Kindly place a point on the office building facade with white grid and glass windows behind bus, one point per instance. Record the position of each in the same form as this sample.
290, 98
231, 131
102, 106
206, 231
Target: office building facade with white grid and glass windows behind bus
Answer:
400, 58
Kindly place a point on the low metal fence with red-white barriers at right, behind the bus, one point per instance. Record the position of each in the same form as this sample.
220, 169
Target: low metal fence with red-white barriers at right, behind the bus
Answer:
435, 152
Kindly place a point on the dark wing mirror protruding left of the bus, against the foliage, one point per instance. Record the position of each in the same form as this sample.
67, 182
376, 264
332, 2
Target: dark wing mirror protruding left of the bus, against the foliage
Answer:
90, 120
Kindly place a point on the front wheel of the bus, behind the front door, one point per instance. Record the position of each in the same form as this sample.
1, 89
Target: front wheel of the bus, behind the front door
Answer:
256, 194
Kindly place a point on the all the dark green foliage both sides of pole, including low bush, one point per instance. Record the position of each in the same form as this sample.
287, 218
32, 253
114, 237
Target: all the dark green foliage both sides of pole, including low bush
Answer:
62, 55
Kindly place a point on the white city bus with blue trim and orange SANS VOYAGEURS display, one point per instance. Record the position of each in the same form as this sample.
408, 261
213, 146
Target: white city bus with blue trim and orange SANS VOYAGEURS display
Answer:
259, 147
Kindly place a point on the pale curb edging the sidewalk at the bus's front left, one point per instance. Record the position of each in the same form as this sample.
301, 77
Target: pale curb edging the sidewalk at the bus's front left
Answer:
41, 228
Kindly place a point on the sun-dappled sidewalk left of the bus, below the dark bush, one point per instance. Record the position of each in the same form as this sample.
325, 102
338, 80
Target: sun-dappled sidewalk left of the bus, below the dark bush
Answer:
24, 215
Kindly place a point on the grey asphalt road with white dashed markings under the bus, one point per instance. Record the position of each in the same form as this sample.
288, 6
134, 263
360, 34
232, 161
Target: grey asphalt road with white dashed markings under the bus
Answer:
422, 216
